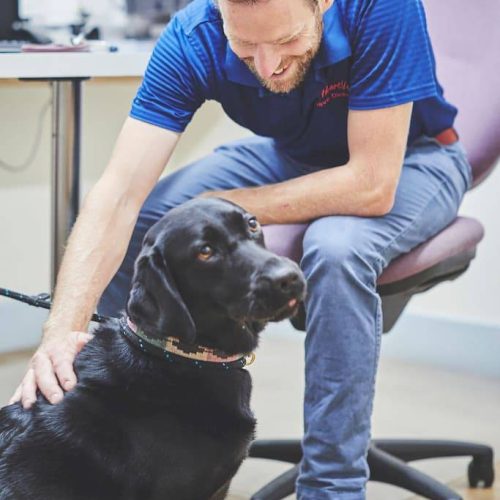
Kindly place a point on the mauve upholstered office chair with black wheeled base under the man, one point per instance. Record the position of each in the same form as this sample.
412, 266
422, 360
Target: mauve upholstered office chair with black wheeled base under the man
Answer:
466, 41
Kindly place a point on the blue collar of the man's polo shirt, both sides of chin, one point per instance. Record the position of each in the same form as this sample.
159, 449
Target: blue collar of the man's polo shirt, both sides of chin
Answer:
334, 48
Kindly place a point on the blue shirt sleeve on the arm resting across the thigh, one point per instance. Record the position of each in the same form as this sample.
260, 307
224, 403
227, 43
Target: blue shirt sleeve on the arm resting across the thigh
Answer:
392, 59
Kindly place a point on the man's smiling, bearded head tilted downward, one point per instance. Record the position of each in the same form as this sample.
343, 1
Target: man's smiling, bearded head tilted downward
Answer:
277, 39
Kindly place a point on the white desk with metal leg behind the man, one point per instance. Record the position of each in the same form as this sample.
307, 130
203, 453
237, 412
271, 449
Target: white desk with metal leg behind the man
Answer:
65, 72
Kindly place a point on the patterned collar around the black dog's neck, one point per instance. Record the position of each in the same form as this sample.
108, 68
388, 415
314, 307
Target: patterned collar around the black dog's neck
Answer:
171, 349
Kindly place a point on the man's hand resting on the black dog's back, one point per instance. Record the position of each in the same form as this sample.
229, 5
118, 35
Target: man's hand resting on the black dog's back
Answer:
51, 368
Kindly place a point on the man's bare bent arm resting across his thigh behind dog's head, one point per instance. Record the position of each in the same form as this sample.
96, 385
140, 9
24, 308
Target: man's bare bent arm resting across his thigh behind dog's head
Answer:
365, 186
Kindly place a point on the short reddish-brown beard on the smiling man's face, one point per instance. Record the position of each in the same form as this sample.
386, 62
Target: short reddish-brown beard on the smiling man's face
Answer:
301, 65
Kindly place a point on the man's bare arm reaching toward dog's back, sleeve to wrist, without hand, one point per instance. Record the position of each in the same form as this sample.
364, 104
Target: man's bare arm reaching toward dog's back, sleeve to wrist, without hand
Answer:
98, 243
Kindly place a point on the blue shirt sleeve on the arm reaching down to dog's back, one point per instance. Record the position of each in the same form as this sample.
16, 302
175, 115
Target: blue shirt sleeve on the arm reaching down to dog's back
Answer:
174, 85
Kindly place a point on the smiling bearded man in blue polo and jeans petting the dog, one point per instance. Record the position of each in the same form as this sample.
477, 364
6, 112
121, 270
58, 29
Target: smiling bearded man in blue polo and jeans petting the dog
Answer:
352, 135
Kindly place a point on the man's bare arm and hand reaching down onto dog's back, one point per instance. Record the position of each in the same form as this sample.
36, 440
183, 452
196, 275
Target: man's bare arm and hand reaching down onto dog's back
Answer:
95, 250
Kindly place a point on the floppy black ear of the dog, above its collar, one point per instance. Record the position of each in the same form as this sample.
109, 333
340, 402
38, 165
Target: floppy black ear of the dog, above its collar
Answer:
155, 304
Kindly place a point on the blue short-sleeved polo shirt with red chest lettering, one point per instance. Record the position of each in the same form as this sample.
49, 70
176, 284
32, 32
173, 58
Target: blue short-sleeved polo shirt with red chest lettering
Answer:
374, 54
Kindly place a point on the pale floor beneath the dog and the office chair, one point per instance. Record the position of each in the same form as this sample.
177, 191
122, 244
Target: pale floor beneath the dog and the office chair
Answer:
412, 401
